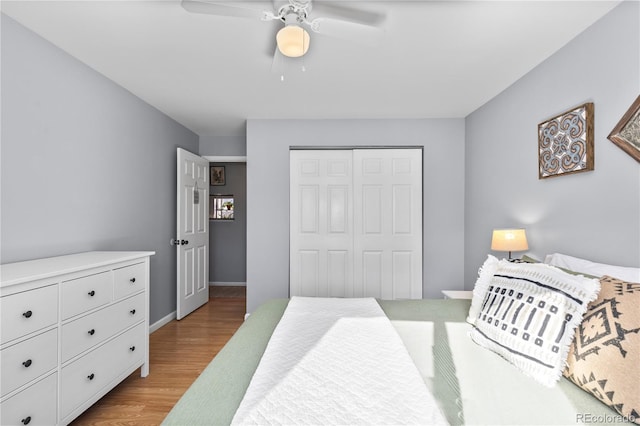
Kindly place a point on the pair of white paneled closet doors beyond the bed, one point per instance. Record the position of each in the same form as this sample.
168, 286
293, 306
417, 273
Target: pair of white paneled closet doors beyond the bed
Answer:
356, 223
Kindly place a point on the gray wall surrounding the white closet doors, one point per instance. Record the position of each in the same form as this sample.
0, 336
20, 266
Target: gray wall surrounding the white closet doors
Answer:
268, 143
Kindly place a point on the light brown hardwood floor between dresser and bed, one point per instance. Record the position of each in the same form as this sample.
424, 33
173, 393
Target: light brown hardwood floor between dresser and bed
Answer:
179, 352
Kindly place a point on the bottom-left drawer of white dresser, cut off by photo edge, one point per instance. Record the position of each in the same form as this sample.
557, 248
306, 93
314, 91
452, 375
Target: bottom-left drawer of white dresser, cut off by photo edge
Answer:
35, 405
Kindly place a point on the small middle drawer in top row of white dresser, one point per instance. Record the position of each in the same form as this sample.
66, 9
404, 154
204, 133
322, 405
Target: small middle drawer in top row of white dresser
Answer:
83, 294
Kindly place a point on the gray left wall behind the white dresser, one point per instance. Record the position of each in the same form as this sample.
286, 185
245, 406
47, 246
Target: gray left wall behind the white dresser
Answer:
85, 164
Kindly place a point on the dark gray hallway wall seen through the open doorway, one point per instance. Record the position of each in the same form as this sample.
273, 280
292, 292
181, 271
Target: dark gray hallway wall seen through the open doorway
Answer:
228, 239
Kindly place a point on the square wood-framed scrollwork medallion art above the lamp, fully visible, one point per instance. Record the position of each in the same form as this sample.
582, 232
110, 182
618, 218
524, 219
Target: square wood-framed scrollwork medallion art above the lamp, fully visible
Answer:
565, 143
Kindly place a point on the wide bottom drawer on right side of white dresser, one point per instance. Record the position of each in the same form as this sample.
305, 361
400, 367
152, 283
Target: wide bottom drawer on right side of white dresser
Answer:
86, 376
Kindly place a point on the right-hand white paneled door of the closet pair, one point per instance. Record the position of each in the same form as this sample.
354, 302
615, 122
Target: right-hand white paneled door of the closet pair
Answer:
388, 223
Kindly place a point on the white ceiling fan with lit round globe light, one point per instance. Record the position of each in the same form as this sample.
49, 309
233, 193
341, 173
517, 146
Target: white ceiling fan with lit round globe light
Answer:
323, 17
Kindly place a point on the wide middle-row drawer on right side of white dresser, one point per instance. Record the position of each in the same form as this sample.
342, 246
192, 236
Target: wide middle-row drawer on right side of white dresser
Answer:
83, 333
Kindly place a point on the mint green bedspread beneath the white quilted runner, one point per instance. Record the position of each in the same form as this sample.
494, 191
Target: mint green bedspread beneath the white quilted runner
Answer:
471, 384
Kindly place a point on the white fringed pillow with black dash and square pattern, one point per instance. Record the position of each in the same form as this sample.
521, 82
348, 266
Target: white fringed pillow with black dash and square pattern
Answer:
529, 315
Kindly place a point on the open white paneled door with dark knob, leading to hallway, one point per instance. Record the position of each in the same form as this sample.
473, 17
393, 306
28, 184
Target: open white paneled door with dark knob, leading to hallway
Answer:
193, 233
